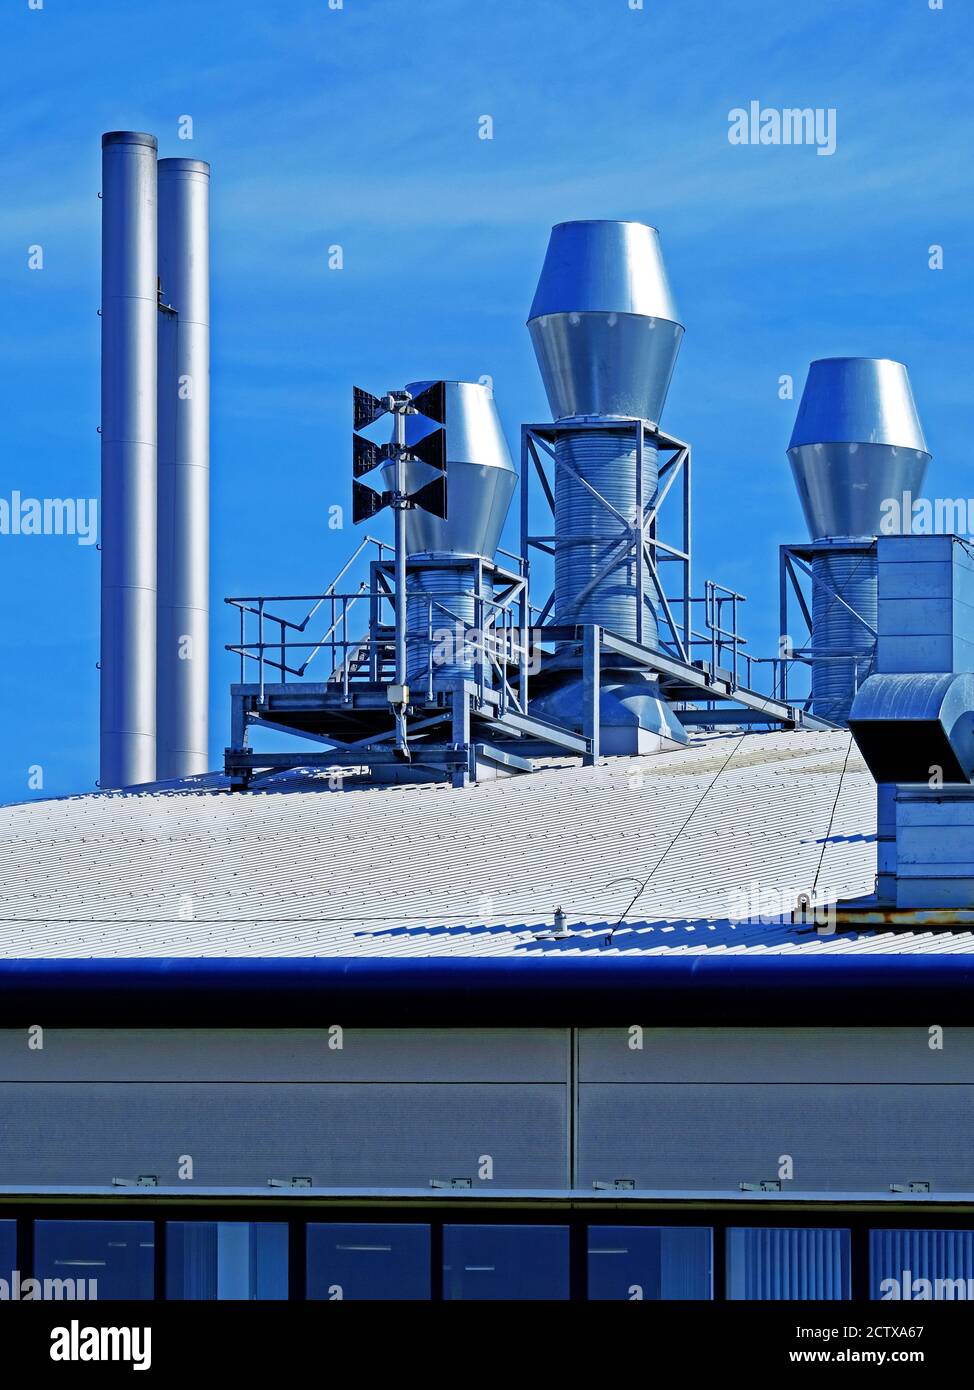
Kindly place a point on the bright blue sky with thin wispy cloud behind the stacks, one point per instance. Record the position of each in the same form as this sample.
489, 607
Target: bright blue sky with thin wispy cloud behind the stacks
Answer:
361, 127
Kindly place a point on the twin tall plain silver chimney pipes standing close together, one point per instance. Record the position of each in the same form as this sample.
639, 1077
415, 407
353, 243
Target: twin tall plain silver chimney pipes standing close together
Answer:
155, 464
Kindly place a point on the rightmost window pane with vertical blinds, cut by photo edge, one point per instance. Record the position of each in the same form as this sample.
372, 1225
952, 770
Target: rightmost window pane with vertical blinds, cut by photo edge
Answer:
921, 1266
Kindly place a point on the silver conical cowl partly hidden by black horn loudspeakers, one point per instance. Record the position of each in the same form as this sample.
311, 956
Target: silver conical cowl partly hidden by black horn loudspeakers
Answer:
480, 476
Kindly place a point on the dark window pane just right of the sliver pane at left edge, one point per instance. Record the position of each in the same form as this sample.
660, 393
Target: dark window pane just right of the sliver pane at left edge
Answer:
117, 1254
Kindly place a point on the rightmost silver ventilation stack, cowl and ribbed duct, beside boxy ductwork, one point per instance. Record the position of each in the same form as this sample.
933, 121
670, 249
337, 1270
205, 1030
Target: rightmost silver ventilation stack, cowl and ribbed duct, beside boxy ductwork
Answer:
858, 443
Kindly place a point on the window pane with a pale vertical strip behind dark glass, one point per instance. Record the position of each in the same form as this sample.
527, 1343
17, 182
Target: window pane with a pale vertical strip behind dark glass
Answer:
226, 1260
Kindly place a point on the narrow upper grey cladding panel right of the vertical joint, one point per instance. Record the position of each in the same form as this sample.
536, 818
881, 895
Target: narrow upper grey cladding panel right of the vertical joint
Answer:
770, 1056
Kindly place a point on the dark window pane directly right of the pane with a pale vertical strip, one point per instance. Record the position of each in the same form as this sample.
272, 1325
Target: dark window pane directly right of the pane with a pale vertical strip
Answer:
368, 1261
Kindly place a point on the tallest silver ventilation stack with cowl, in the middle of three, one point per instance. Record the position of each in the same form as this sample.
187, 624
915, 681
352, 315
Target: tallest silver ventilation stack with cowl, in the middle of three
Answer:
606, 336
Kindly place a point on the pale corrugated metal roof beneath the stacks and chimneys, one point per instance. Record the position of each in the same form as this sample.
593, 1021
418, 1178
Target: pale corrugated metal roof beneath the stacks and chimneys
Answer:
304, 869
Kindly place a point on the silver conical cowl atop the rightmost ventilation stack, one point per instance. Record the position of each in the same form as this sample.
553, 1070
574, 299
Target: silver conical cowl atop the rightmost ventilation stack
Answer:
857, 443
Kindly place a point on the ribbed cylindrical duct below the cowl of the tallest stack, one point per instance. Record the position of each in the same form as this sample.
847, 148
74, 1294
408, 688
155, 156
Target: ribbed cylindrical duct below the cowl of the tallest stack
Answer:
597, 565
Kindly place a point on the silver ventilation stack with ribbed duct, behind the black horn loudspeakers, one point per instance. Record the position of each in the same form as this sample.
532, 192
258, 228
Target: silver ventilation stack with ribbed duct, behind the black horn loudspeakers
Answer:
445, 583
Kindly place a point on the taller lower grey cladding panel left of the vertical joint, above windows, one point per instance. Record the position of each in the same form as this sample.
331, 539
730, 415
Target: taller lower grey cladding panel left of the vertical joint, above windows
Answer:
244, 1135
